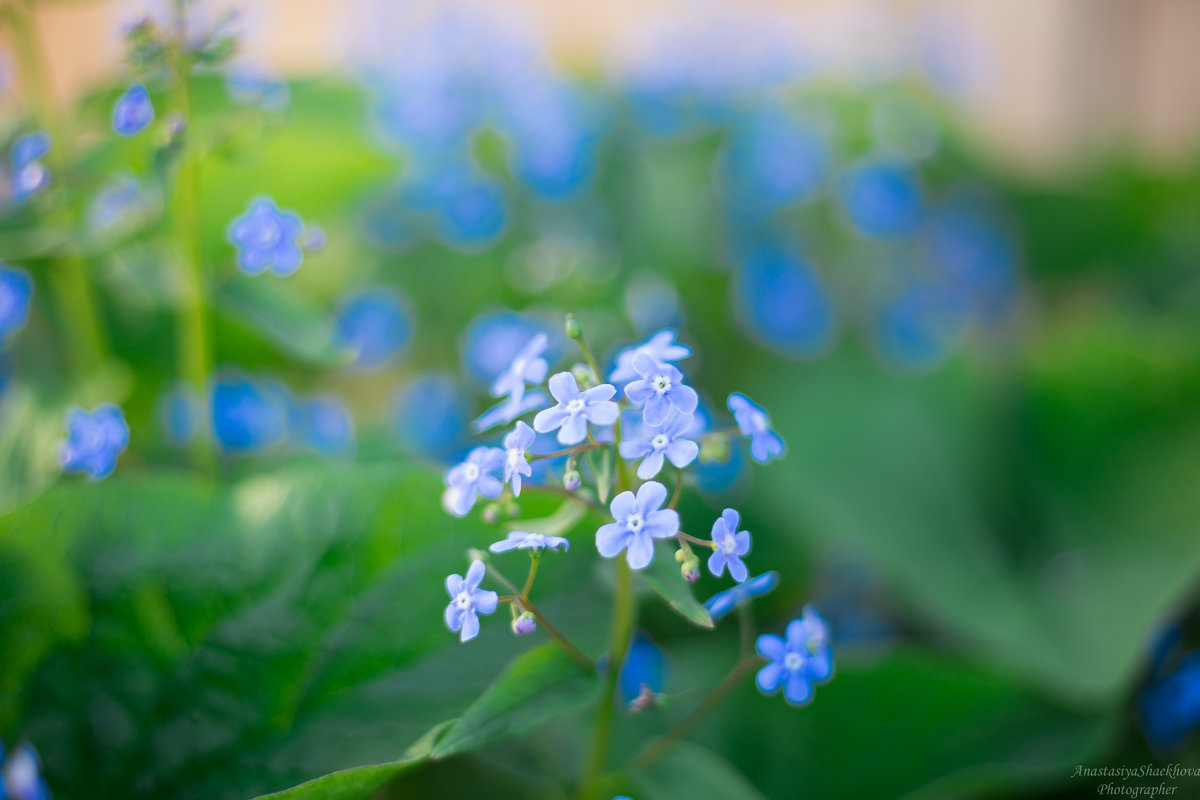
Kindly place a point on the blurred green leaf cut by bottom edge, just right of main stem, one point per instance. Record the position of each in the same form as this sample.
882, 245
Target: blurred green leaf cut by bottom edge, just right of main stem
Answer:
687, 771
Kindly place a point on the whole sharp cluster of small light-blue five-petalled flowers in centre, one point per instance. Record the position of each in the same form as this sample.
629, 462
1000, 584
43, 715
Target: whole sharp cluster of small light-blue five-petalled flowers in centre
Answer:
656, 407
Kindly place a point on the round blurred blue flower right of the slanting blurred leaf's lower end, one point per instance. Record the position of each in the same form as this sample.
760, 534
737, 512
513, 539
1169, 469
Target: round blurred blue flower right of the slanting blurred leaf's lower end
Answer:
374, 324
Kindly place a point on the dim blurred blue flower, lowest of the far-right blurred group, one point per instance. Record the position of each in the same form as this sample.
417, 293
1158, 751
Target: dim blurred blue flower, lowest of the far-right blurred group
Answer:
920, 327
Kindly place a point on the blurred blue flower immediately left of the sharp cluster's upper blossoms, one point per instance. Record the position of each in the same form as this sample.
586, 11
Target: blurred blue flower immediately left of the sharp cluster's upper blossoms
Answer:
431, 416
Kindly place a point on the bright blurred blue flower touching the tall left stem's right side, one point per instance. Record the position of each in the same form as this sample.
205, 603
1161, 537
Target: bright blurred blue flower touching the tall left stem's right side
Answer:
248, 414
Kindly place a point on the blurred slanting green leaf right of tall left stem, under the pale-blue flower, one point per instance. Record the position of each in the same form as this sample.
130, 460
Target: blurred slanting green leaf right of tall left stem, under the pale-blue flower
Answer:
283, 317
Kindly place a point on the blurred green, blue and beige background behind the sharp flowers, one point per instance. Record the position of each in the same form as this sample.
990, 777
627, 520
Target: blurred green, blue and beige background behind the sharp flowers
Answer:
952, 246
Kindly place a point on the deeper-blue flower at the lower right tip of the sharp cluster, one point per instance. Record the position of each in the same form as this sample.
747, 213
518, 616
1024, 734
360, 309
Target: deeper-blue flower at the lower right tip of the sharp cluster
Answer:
797, 664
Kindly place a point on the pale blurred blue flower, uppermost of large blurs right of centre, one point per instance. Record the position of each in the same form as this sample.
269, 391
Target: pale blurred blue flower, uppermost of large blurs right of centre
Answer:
773, 160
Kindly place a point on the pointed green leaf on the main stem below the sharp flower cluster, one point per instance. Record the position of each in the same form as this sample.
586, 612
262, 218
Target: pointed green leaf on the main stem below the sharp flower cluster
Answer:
538, 687
